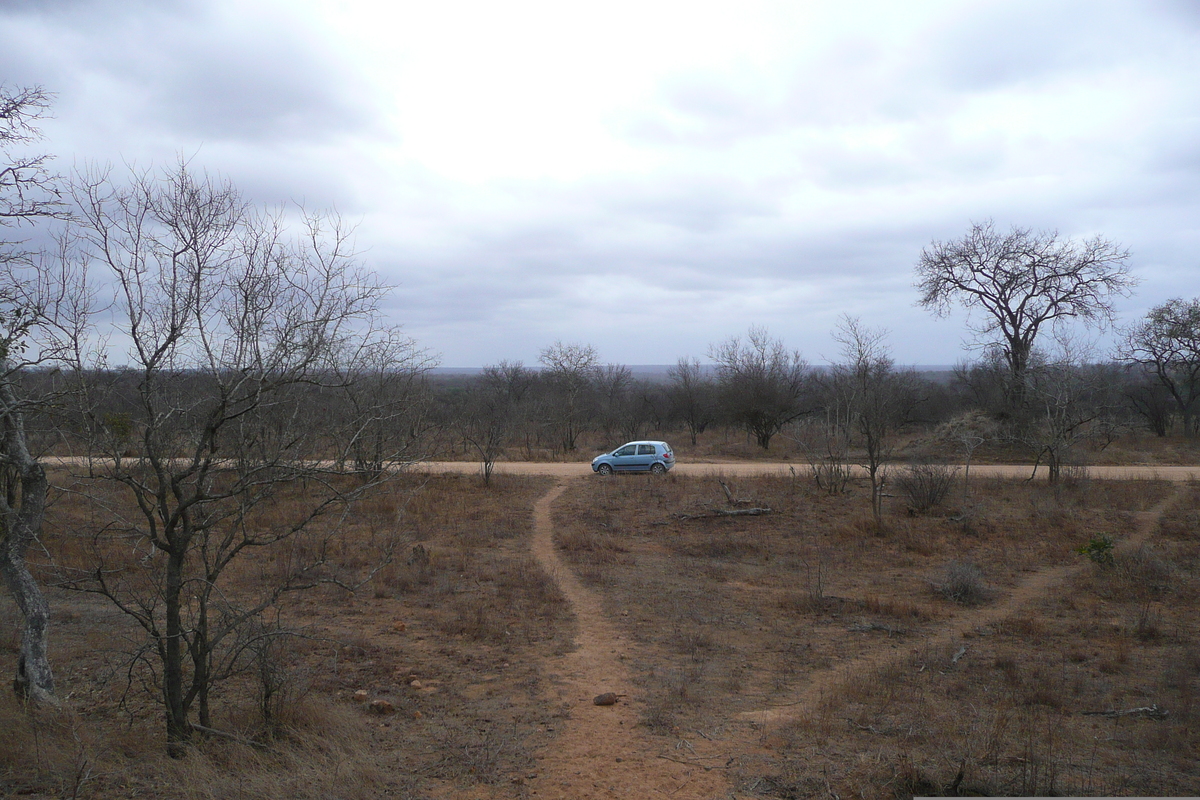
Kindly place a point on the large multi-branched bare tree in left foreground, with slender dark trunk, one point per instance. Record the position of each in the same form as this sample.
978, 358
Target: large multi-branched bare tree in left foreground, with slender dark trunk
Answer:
236, 330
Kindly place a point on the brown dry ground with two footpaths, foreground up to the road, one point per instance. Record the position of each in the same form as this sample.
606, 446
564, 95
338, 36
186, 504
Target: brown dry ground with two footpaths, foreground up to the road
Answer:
795, 654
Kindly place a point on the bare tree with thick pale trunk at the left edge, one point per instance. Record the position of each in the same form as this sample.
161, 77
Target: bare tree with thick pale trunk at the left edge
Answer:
38, 314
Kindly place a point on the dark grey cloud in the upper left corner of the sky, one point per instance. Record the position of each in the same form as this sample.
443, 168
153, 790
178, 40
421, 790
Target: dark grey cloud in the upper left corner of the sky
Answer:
176, 70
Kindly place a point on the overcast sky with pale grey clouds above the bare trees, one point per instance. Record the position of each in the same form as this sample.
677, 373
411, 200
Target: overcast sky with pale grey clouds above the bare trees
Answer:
652, 178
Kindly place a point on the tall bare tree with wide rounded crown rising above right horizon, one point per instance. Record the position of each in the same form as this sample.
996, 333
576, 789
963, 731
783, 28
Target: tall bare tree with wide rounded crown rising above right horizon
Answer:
1022, 282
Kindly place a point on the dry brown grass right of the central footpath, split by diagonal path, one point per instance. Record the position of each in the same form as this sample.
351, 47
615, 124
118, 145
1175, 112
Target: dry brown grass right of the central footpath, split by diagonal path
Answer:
740, 615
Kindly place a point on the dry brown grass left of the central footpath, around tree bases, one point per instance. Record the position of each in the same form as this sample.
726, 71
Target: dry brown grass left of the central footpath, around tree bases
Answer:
463, 609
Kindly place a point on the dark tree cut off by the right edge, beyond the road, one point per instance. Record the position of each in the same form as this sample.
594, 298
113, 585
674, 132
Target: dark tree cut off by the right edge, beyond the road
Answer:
1167, 344
